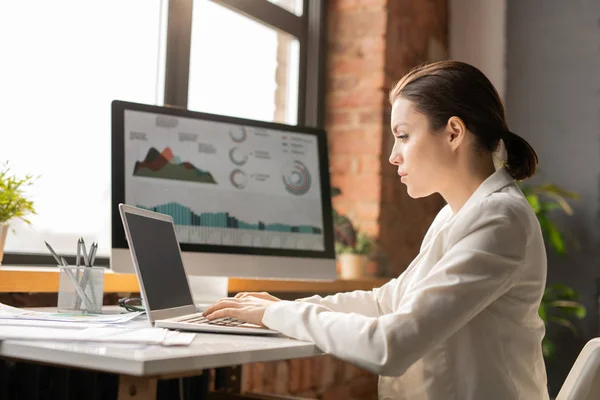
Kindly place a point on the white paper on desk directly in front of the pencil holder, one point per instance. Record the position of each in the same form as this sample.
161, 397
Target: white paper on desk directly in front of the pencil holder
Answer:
8, 312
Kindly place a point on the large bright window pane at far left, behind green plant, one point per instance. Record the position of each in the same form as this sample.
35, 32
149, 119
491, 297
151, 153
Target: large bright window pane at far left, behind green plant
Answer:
64, 61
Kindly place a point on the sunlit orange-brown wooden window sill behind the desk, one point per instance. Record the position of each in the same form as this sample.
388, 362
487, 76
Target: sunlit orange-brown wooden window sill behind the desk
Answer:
45, 280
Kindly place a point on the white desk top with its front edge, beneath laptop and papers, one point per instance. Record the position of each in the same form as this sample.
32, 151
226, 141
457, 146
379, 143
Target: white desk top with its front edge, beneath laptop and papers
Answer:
206, 351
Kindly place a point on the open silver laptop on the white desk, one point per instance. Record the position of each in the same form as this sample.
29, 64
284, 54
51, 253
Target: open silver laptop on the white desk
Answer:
163, 283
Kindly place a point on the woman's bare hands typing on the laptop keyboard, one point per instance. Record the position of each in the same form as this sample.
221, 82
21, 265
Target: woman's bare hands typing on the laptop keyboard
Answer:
248, 309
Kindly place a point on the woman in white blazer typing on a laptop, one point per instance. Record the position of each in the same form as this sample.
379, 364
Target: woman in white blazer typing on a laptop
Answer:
461, 322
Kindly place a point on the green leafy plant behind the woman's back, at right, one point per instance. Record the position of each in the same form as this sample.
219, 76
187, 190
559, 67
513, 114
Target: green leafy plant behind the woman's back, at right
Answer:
559, 303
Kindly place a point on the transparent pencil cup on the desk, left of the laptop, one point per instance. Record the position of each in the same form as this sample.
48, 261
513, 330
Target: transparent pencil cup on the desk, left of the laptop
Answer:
80, 289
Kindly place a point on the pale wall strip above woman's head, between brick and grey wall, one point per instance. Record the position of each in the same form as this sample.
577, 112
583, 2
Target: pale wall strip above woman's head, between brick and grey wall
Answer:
477, 35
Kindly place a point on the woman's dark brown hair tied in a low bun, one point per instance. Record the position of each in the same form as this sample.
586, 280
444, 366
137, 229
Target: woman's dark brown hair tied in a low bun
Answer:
446, 89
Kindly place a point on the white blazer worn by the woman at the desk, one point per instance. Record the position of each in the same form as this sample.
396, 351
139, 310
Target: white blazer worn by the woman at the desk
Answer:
461, 322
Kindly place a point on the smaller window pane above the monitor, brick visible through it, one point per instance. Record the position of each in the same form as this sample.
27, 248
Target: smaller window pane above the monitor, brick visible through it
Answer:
251, 72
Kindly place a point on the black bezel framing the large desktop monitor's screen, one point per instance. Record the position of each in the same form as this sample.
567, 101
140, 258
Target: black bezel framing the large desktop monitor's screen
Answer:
118, 238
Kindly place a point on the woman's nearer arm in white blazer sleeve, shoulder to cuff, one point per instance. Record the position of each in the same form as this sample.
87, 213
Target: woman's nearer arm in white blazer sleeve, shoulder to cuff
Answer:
477, 270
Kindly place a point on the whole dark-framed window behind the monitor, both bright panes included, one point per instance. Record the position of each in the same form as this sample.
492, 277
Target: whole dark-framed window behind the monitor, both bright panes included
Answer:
64, 61
